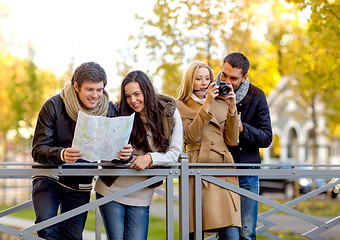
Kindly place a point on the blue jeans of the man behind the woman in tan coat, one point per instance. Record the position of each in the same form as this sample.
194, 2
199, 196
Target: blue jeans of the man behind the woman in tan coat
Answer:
249, 207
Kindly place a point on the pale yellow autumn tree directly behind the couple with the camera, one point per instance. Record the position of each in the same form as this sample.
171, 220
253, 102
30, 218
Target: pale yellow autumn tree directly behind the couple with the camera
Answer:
182, 31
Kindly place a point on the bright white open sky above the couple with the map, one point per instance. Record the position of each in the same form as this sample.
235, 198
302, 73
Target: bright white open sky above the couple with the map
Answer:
87, 30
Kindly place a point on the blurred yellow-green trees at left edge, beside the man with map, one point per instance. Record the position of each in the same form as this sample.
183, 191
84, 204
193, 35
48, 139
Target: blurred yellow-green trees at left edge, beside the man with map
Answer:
24, 87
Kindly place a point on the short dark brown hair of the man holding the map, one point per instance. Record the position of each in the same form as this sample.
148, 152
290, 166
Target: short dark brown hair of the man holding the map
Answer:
89, 71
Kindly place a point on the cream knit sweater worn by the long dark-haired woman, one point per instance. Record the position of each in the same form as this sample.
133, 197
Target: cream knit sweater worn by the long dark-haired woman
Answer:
144, 196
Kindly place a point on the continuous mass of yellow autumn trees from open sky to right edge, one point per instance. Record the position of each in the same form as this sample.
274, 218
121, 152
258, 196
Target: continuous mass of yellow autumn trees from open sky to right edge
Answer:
297, 38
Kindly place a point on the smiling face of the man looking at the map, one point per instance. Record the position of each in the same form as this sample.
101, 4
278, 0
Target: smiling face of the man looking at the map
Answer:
90, 93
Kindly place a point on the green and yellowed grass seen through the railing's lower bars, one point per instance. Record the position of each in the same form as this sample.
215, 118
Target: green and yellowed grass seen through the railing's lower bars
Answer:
157, 227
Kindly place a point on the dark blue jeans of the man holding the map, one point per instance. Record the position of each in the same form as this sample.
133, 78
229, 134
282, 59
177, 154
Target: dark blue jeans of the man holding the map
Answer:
47, 196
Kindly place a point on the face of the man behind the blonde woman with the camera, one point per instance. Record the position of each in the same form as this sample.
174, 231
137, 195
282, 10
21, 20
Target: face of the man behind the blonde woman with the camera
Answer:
233, 75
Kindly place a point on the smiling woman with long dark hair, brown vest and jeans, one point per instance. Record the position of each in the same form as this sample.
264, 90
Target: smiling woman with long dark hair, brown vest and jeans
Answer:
156, 138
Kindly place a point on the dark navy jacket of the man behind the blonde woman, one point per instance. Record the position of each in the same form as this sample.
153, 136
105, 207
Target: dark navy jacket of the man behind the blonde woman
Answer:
257, 127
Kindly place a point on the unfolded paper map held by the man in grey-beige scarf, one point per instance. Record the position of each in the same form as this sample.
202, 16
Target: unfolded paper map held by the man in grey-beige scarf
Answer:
101, 138
